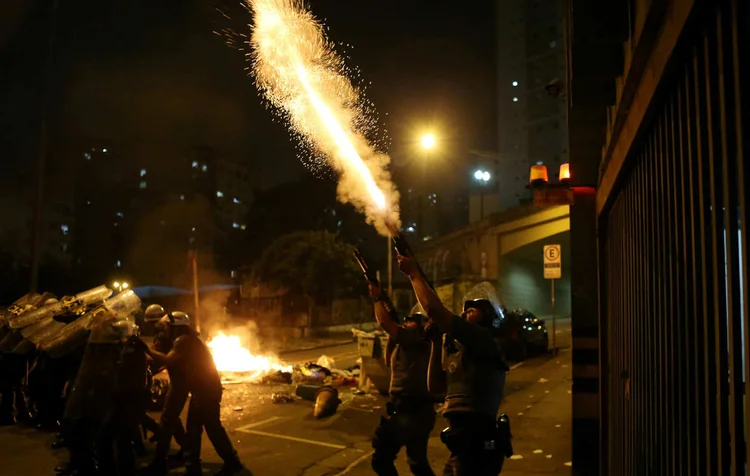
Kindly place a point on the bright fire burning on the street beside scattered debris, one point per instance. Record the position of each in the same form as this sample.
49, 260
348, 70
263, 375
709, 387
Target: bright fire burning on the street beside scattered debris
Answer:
230, 356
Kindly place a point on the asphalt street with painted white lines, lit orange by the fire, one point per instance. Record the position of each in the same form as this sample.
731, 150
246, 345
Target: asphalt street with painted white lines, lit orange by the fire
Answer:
284, 439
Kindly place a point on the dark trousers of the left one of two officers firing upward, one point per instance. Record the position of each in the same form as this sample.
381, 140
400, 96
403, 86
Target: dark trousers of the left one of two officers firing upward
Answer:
406, 424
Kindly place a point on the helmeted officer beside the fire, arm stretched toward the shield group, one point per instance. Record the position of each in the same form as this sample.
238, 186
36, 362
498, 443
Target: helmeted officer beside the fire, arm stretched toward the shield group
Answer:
192, 365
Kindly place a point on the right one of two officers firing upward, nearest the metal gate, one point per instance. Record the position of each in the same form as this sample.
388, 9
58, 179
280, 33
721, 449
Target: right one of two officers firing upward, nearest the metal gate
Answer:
475, 366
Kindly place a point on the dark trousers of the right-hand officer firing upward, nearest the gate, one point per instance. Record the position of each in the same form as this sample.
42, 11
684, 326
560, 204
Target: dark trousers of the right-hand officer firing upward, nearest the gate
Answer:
466, 439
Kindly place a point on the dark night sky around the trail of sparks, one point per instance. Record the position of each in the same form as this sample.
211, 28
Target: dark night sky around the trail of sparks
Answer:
152, 74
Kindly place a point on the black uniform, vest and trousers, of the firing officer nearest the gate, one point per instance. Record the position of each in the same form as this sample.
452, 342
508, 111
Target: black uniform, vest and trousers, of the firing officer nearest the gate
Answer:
475, 368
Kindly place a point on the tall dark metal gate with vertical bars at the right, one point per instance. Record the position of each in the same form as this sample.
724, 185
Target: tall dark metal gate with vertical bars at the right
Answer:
674, 276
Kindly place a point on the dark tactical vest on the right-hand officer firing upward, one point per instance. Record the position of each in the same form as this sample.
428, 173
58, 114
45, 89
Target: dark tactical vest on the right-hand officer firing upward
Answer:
473, 384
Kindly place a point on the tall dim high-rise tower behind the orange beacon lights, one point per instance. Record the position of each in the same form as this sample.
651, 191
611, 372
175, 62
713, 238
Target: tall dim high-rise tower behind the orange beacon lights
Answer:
532, 117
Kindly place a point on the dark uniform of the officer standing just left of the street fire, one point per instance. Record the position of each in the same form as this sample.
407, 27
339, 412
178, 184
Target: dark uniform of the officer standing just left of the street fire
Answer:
196, 367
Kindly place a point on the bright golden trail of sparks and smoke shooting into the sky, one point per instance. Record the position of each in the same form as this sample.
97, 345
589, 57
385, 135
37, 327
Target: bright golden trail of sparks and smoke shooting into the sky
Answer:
298, 72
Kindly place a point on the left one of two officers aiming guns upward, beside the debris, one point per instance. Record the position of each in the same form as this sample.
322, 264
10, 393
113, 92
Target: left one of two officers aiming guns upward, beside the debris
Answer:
410, 413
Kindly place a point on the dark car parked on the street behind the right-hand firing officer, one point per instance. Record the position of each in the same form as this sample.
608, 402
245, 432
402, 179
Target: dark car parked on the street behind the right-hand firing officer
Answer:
522, 334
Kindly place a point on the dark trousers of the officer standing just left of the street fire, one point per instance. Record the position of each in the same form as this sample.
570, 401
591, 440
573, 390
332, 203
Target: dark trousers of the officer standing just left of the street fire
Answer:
205, 412
